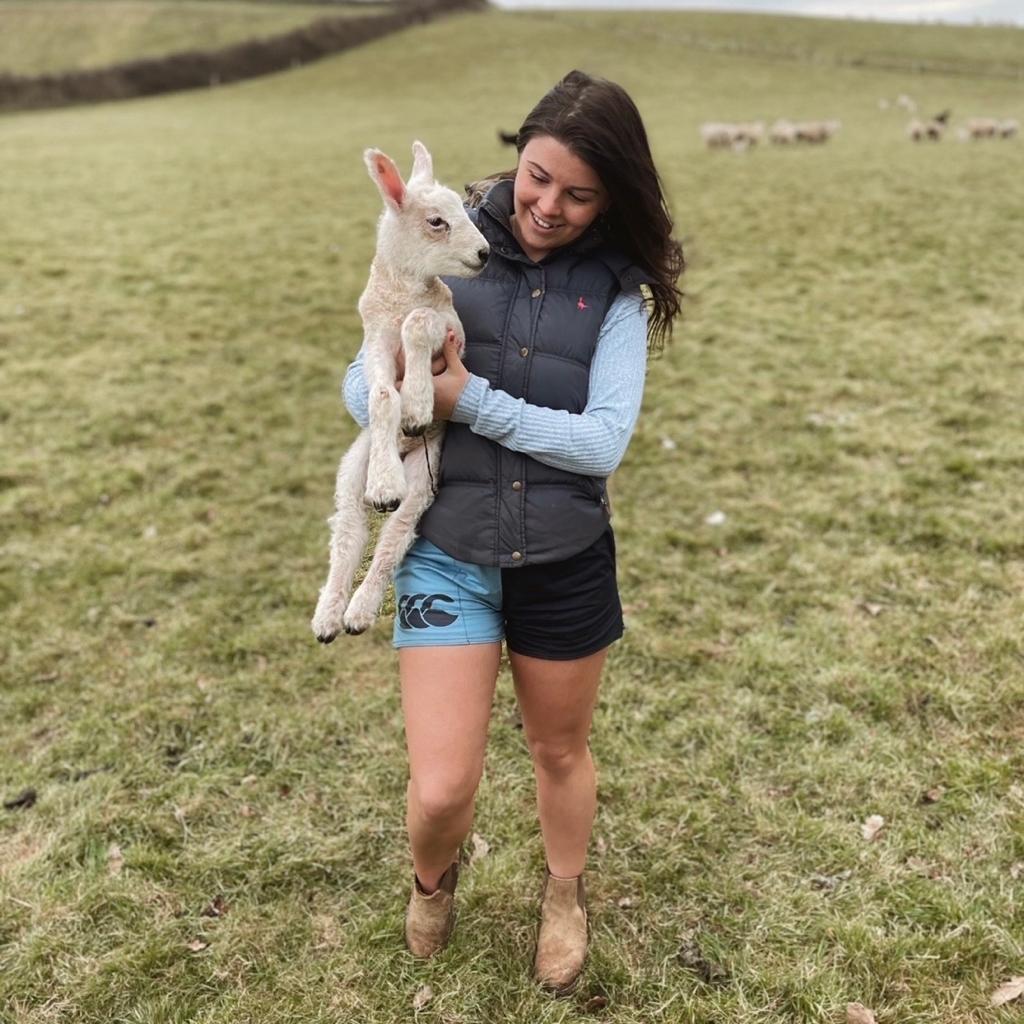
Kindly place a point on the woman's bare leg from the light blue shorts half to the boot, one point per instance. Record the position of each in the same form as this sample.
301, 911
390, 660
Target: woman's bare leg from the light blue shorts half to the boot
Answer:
447, 694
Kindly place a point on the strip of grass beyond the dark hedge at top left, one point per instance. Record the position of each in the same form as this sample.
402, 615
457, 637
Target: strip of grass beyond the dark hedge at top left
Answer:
44, 36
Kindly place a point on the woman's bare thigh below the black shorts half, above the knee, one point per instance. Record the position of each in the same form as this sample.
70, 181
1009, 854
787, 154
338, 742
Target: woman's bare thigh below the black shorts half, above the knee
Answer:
558, 701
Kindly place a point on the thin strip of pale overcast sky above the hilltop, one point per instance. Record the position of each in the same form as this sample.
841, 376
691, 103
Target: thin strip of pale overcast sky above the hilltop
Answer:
961, 12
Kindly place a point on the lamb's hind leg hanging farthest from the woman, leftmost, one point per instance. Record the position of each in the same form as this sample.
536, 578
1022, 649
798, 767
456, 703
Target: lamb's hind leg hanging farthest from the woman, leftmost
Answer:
349, 539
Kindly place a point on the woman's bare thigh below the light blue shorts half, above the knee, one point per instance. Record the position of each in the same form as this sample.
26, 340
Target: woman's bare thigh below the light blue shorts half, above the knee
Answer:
447, 694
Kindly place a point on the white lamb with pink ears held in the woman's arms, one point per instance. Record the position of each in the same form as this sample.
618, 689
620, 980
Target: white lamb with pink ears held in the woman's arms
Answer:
423, 233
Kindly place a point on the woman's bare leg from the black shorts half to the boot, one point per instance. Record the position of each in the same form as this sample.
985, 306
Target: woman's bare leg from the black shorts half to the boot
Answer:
558, 703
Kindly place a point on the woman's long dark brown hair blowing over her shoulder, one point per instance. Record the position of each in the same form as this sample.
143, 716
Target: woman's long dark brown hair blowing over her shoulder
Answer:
599, 122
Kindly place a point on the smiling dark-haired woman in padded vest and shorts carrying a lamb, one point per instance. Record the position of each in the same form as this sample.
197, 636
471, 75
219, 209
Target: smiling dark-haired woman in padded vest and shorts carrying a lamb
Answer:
518, 545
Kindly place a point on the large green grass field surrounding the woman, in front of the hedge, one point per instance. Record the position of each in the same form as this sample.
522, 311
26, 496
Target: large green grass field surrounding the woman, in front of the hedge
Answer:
219, 830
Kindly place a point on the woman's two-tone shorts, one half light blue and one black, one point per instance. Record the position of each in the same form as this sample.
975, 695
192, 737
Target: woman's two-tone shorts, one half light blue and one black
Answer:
558, 611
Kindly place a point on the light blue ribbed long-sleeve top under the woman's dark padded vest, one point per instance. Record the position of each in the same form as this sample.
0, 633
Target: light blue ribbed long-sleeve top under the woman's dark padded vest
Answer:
591, 443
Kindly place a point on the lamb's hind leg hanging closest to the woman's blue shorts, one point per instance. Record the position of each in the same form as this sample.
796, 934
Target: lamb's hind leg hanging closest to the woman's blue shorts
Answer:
397, 536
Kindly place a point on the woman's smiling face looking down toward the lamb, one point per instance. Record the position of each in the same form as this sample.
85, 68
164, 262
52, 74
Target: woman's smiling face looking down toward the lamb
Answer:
558, 197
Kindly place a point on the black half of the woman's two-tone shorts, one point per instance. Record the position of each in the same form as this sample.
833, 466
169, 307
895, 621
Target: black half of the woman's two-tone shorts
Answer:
564, 611
